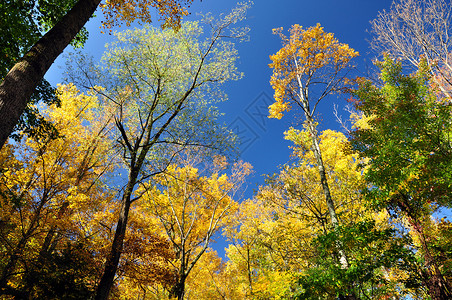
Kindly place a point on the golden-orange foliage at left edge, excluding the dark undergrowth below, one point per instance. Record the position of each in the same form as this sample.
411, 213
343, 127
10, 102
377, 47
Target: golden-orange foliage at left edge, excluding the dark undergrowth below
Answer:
51, 188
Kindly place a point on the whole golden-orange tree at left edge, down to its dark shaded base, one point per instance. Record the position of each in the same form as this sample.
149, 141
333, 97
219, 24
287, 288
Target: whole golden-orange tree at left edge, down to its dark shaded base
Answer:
49, 189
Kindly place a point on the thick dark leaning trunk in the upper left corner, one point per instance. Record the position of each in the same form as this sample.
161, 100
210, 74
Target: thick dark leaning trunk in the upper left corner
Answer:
22, 80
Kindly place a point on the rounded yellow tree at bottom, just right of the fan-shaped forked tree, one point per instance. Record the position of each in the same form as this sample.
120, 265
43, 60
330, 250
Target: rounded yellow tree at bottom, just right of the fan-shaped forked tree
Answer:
262, 253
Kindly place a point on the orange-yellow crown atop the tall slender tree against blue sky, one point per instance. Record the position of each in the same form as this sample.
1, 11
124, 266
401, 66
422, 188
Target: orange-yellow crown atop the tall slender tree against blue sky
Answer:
305, 53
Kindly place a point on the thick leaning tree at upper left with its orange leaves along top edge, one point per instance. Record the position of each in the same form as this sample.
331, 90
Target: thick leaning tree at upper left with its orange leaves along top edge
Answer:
23, 78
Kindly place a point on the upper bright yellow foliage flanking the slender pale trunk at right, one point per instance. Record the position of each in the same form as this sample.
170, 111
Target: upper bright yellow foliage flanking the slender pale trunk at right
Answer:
344, 177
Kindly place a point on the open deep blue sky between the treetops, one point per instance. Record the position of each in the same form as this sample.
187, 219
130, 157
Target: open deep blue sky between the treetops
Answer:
263, 144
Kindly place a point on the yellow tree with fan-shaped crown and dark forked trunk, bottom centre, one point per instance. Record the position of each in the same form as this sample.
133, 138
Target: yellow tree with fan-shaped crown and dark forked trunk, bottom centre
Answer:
191, 203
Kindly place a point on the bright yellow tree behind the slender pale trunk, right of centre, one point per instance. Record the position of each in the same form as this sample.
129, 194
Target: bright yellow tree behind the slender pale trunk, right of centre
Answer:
297, 195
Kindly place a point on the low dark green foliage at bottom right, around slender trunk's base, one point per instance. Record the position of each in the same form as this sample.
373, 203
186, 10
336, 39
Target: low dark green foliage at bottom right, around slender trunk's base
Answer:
372, 252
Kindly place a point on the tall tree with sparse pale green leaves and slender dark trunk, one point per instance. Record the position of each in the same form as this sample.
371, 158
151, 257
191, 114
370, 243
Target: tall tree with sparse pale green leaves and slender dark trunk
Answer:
159, 86
